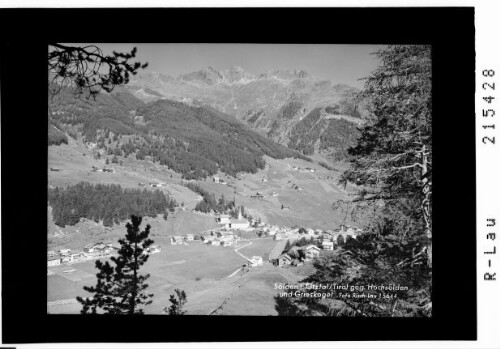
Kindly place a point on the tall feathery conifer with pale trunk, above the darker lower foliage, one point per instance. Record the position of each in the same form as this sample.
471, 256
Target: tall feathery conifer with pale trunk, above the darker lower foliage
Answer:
392, 161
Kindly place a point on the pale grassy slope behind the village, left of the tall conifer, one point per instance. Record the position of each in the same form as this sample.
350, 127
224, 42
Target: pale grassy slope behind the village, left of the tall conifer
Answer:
310, 207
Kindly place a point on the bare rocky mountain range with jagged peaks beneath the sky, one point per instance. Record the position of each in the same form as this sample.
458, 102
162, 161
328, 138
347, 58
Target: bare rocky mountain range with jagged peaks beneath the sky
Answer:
273, 103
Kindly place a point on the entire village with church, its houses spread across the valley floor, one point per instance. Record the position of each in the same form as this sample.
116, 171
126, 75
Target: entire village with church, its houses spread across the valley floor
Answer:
229, 234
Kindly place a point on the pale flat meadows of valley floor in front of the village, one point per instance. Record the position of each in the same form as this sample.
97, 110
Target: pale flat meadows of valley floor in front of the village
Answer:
209, 275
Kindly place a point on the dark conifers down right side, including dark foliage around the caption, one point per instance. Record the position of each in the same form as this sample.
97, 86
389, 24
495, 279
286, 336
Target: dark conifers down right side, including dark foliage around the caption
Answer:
391, 170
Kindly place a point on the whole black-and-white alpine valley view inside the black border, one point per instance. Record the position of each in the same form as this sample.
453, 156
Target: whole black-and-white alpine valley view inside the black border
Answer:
240, 179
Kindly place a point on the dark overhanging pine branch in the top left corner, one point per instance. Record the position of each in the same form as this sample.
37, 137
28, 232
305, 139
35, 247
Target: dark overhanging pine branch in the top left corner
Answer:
88, 70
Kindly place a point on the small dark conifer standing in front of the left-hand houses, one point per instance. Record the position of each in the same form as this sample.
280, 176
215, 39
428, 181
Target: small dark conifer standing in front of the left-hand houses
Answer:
121, 289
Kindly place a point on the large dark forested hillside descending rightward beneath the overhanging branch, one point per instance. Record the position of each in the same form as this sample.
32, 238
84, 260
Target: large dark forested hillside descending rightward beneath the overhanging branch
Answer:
196, 141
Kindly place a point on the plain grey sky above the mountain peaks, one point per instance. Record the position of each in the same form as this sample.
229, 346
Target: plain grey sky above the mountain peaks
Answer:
338, 63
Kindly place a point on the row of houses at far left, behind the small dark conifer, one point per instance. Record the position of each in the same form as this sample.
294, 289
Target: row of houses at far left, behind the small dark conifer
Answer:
92, 250
